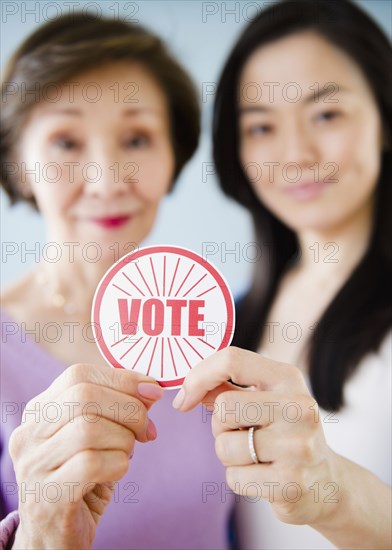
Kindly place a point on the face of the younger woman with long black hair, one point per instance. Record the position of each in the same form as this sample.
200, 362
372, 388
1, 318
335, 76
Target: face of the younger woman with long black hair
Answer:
310, 132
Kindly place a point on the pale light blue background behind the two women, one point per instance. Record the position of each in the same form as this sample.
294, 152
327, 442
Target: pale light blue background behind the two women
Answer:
196, 212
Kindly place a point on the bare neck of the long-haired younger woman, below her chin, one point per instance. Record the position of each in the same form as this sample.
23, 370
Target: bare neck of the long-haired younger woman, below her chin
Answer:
336, 252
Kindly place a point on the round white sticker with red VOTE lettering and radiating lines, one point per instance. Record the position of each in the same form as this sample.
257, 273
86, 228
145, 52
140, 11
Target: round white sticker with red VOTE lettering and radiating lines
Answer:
161, 310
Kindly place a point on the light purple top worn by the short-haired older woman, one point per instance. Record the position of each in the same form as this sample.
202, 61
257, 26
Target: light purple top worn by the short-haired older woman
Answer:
174, 494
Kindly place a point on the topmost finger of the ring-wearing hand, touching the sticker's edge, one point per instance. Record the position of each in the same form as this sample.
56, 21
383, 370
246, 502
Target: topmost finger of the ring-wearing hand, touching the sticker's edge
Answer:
242, 367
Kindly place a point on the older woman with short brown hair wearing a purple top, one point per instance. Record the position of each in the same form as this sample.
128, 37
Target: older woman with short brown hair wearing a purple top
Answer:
116, 120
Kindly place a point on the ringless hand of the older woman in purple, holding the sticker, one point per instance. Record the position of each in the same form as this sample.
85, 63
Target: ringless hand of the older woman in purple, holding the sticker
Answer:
73, 444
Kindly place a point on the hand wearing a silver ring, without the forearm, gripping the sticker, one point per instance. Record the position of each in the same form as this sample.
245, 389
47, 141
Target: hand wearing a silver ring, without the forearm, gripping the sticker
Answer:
298, 473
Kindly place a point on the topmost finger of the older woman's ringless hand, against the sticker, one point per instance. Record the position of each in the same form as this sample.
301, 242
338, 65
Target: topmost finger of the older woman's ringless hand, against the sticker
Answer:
121, 380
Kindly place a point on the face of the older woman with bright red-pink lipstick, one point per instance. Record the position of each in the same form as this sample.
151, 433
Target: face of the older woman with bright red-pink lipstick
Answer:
104, 156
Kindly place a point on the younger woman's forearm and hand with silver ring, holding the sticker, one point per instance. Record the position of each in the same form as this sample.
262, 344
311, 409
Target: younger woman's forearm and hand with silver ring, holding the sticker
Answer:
290, 453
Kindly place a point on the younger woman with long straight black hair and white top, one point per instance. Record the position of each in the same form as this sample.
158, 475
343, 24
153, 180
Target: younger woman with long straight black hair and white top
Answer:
302, 138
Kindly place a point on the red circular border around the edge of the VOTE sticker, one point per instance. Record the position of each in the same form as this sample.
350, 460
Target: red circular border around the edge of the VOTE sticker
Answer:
148, 250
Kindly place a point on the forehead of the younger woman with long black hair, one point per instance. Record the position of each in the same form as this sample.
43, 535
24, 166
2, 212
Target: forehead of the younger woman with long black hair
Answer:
304, 59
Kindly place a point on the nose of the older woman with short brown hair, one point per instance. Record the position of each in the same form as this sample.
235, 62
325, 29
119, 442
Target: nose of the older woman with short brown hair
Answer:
103, 174
